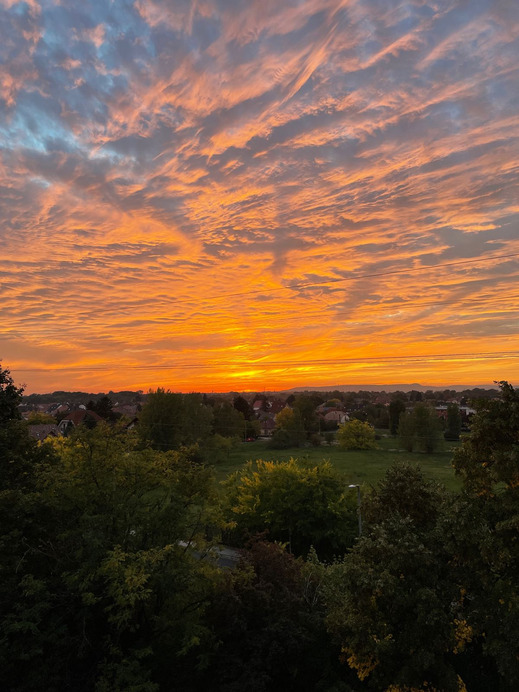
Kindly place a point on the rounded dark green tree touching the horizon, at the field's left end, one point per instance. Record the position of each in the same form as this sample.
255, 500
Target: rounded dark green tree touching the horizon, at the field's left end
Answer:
170, 420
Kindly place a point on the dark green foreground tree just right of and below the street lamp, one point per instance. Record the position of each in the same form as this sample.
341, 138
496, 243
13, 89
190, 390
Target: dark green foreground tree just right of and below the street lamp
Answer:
391, 603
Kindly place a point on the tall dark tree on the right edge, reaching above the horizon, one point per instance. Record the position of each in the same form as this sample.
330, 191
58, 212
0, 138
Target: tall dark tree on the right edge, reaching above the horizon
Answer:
482, 531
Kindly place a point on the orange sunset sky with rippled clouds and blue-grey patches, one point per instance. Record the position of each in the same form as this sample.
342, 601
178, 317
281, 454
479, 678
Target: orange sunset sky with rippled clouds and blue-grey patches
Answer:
232, 195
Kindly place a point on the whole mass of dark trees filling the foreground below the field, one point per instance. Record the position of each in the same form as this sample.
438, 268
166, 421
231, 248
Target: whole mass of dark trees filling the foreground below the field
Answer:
107, 582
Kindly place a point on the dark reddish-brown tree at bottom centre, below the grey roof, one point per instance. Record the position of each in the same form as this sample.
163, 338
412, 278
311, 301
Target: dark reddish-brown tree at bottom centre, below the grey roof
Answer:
268, 620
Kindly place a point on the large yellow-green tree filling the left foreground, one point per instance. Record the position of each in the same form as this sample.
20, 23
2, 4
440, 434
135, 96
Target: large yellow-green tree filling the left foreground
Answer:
108, 590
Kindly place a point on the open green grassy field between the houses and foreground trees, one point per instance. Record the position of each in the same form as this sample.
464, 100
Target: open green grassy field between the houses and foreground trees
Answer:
363, 467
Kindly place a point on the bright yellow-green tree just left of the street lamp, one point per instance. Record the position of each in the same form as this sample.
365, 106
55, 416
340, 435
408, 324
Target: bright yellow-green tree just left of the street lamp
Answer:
296, 503
